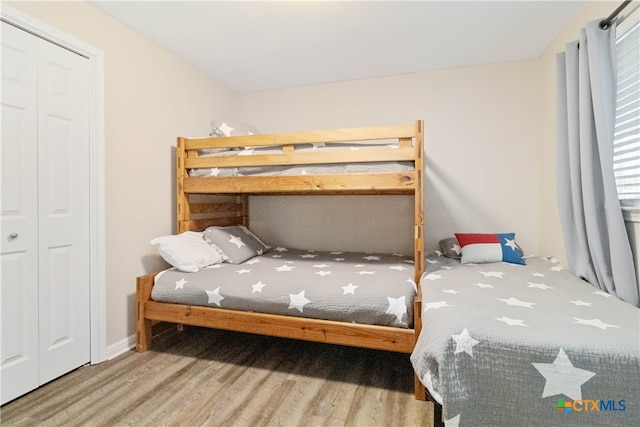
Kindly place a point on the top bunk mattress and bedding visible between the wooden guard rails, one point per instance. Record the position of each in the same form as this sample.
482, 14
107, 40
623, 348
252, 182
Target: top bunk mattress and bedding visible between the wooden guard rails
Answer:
306, 169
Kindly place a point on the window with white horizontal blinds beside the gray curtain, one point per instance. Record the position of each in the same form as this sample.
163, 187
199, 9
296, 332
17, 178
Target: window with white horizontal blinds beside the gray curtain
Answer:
626, 141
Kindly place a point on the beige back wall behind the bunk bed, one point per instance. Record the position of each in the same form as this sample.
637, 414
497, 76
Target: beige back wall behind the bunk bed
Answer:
482, 138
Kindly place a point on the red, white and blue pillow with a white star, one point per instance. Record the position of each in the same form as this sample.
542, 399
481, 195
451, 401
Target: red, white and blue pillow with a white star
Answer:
478, 248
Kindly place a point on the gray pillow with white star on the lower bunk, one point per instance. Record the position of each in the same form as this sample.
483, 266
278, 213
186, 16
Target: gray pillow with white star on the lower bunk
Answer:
235, 244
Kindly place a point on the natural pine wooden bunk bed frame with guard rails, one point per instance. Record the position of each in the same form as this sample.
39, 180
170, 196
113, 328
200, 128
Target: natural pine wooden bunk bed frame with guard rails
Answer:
224, 201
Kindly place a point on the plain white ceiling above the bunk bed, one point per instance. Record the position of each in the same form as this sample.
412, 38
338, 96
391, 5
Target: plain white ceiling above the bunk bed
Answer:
260, 45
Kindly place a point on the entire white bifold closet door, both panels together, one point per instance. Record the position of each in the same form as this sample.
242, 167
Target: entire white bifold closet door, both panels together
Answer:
45, 205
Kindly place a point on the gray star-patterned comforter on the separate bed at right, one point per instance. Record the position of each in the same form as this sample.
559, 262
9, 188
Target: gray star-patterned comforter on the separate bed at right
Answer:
512, 345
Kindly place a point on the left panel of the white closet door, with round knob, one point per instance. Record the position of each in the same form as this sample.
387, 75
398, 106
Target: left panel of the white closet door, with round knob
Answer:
19, 215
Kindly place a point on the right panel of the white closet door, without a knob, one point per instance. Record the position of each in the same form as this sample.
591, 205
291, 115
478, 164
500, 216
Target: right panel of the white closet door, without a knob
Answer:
63, 188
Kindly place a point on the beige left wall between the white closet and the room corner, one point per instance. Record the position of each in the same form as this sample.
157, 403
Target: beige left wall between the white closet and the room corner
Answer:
150, 98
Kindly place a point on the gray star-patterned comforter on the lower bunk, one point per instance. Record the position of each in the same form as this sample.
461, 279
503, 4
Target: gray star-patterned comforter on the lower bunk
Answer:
369, 288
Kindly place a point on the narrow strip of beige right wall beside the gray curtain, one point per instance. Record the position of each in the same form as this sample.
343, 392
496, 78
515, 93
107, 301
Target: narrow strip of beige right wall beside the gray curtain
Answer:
551, 240
